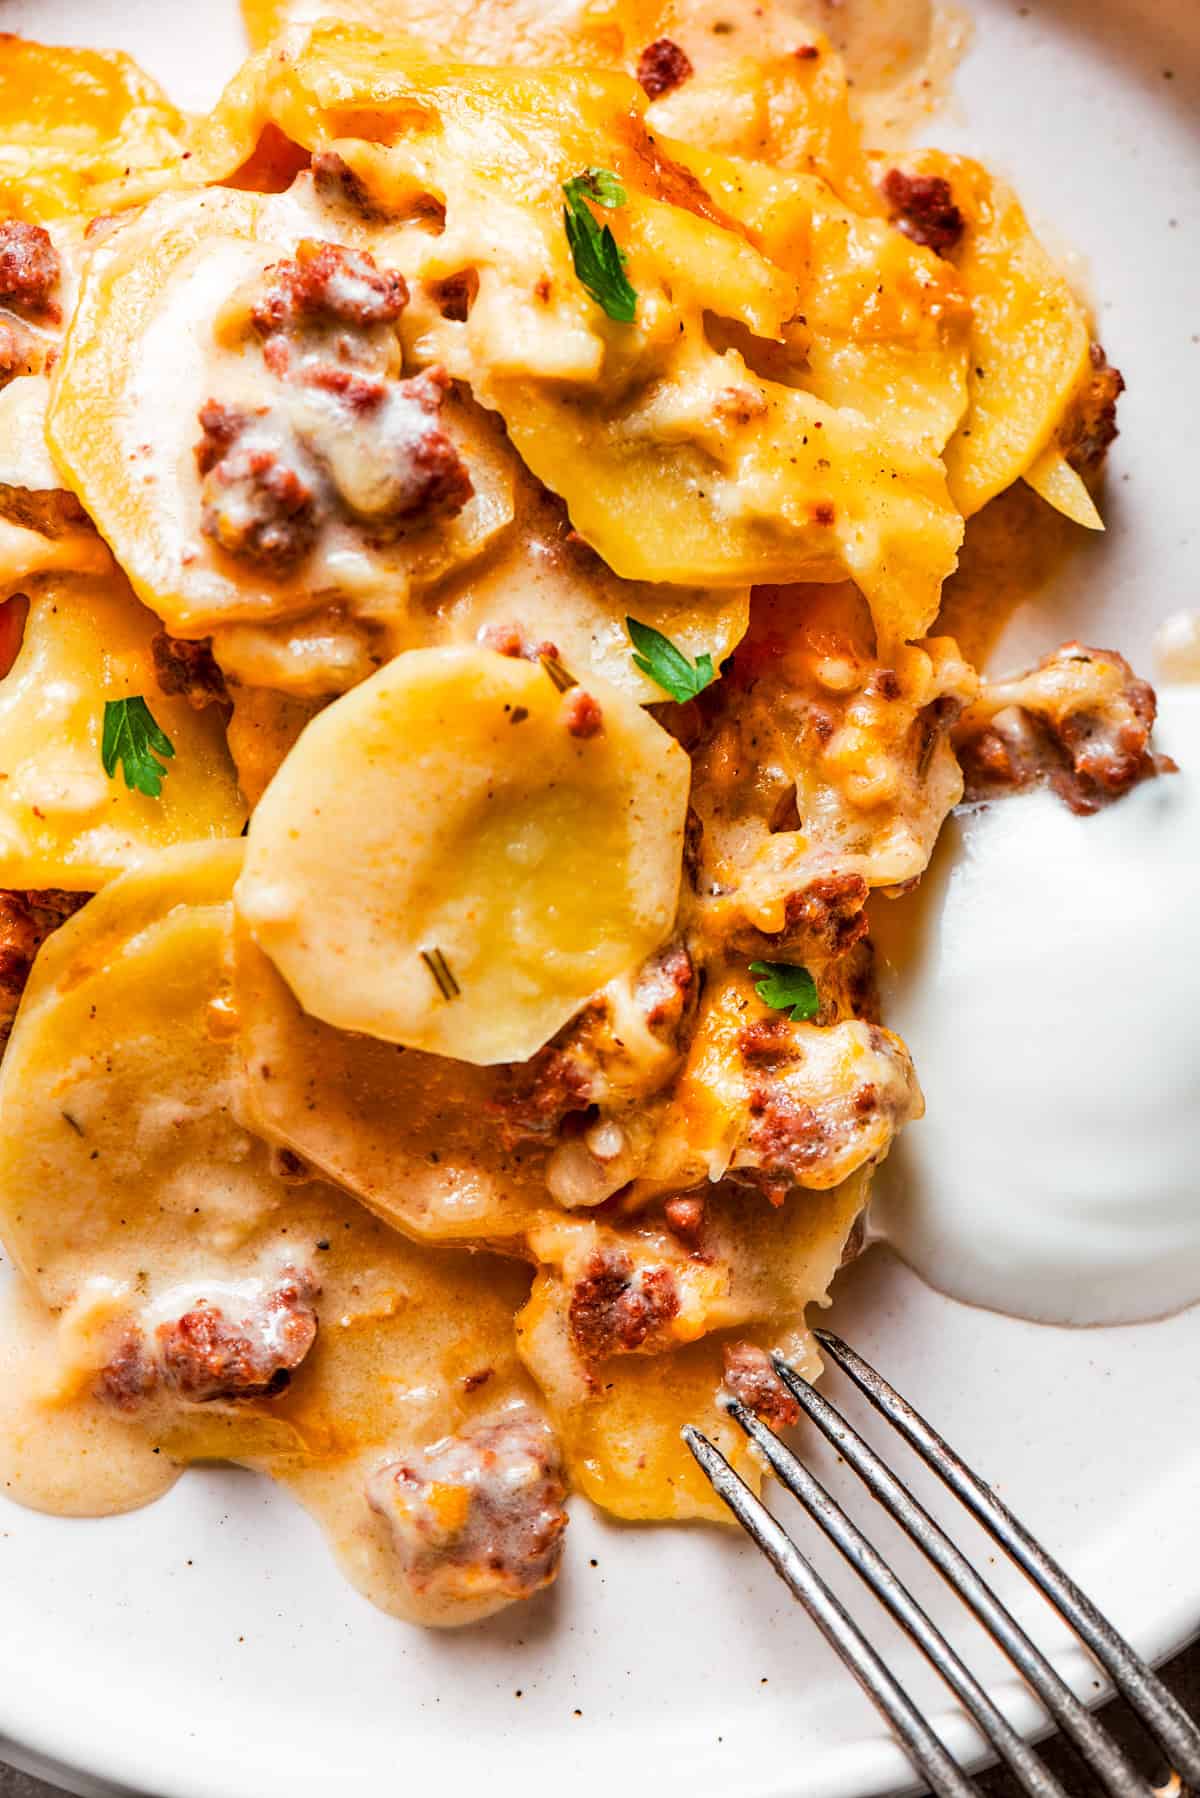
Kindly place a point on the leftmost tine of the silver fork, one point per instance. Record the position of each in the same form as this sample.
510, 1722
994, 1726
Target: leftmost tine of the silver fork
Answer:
927, 1754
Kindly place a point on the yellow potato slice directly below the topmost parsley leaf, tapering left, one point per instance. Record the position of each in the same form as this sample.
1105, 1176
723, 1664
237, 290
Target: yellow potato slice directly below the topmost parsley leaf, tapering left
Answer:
810, 497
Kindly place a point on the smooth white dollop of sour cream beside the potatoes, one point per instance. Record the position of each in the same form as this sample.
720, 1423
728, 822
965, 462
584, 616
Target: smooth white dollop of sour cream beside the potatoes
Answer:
1046, 977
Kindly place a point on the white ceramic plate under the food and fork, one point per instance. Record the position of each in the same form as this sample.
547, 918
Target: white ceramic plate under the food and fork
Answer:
208, 1648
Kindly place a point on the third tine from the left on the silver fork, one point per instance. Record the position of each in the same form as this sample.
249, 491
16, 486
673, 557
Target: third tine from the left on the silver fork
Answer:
1116, 1772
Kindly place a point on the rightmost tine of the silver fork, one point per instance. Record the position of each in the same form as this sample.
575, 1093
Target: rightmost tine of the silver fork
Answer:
1160, 1709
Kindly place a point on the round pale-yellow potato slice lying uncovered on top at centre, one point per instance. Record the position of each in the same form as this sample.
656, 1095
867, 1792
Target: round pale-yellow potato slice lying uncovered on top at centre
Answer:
460, 853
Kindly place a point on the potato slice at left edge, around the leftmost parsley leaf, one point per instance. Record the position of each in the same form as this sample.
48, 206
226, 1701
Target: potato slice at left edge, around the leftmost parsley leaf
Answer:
64, 823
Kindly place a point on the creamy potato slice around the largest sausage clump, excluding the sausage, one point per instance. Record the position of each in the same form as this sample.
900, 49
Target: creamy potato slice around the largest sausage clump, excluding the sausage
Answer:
145, 353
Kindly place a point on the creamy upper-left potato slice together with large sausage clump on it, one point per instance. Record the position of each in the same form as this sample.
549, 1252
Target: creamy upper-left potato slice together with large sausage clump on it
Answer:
165, 334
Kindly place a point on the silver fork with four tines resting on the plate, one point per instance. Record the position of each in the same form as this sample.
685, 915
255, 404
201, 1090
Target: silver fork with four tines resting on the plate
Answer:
1160, 1711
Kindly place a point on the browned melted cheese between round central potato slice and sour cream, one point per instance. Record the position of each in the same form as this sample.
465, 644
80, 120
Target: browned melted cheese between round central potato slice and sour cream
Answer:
823, 758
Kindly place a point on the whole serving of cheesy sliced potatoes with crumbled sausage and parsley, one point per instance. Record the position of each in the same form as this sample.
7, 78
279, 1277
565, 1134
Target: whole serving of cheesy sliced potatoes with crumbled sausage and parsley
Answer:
474, 521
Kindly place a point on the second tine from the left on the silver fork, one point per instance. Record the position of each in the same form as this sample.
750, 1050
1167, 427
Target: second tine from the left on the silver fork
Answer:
895, 1596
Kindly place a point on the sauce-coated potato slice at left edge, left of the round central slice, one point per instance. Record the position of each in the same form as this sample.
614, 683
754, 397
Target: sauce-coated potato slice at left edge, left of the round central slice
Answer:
118, 995
